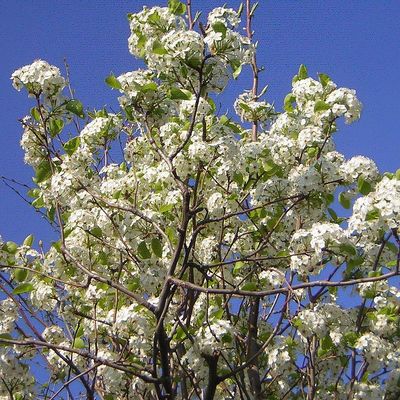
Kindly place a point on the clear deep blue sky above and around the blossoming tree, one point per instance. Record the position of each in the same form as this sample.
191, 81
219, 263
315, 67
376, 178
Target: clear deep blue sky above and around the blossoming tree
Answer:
356, 42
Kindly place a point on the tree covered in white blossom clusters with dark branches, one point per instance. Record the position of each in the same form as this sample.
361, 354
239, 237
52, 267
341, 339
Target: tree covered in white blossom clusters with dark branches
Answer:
199, 257
